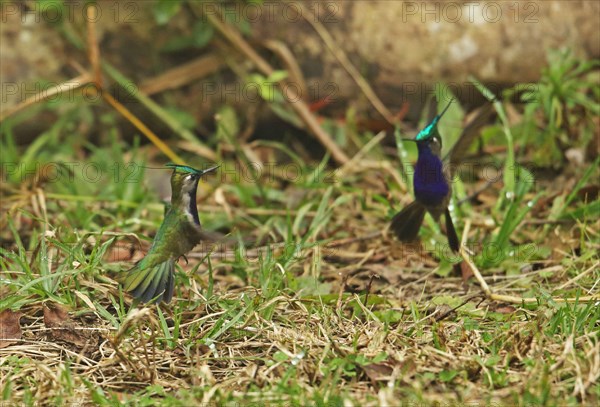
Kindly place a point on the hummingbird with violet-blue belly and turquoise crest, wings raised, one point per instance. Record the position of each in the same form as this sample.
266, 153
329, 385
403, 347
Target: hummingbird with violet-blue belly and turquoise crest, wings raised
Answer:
432, 180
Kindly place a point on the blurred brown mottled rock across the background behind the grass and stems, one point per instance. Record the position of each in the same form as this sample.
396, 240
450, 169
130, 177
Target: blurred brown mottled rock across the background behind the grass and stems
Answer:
401, 48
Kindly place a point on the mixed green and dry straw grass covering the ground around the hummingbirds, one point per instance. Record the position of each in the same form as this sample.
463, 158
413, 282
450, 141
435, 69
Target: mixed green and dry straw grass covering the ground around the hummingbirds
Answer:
313, 306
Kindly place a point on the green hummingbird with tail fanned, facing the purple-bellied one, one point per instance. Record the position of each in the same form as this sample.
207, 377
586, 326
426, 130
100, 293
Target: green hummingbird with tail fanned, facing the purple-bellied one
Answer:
152, 278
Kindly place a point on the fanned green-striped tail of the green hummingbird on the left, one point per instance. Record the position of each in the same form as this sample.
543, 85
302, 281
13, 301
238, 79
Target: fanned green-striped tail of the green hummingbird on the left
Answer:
151, 283
